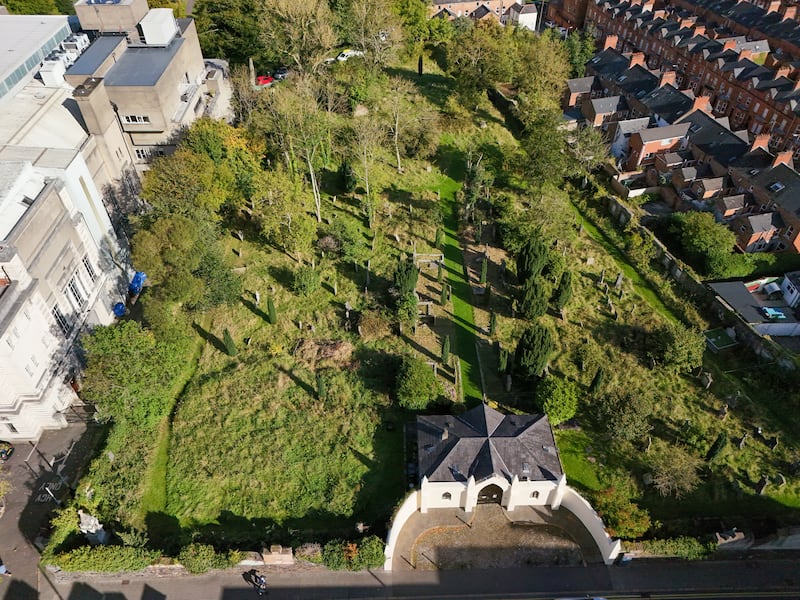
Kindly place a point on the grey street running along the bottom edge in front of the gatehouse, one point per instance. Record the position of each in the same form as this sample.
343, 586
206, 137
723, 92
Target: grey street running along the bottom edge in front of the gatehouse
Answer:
655, 579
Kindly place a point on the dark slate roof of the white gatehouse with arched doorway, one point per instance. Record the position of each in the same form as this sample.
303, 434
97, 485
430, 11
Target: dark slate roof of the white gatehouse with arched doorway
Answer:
483, 442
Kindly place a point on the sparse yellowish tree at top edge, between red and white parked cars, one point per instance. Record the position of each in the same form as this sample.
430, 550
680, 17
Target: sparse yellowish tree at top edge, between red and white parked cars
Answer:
302, 33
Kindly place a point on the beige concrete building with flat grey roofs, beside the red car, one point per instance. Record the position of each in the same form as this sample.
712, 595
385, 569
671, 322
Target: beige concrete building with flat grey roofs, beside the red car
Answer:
143, 79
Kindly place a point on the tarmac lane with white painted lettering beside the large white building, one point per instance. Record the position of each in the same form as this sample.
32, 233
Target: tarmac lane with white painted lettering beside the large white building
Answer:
41, 475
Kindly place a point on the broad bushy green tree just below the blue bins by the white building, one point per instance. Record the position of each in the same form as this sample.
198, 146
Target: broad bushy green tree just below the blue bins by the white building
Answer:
129, 374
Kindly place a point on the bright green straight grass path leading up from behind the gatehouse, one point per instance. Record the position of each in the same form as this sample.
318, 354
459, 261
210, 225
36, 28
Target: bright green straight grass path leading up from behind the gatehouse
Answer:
461, 298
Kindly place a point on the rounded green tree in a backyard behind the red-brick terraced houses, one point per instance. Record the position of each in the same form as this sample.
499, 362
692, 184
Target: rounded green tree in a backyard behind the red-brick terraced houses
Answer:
706, 243
